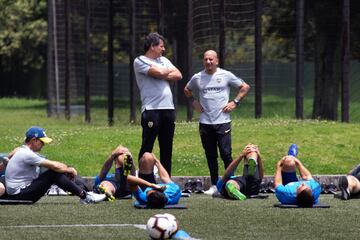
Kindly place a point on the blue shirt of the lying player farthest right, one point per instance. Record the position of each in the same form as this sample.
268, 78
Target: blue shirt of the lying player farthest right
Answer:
287, 194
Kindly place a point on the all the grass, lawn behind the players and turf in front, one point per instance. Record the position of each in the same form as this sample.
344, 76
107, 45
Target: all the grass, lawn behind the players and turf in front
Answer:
325, 148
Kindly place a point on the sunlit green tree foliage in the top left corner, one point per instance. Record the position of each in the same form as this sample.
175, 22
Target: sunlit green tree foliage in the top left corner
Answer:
23, 33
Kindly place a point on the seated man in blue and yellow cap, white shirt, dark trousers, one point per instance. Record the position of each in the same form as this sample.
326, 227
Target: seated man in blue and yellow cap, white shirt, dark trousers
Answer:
29, 175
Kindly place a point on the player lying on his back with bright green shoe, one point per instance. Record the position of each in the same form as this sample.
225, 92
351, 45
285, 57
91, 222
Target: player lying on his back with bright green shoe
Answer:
249, 183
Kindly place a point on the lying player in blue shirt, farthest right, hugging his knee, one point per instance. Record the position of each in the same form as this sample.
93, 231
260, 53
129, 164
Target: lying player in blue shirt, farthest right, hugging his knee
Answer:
289, 189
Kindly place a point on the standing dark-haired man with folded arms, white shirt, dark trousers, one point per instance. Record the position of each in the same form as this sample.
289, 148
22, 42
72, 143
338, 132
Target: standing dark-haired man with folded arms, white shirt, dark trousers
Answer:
154, 73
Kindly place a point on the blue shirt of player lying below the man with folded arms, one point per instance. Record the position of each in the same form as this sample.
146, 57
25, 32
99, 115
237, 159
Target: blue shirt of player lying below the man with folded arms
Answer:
172, 192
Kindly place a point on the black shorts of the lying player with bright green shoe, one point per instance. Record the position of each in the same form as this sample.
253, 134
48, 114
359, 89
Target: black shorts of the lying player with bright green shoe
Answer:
248, 186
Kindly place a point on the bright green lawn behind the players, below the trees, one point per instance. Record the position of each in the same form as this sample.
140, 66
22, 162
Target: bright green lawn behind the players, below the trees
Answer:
325, 147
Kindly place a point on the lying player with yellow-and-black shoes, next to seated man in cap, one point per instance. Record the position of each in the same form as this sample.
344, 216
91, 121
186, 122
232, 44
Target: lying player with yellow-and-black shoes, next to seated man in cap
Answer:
114, 186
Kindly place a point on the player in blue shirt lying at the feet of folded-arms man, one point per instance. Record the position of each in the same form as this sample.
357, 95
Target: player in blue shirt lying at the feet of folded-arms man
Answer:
145, 189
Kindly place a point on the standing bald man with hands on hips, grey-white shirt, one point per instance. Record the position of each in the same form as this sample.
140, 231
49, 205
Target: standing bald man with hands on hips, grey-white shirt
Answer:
212, 86
